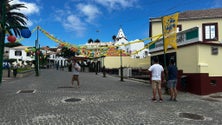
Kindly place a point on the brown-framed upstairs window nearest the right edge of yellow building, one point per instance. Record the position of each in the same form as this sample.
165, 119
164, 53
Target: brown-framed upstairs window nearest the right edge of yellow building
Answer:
210, 32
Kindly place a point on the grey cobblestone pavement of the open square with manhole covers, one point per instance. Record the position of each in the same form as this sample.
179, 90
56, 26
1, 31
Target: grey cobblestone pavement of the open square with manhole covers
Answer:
50, 100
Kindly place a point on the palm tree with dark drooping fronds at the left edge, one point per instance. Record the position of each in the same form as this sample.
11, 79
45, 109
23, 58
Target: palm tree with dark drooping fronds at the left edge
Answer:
11, 21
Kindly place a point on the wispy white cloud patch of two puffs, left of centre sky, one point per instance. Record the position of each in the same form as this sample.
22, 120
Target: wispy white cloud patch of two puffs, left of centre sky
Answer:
77, 19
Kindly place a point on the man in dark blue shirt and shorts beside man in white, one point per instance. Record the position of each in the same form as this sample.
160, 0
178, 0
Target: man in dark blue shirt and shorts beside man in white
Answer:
172, 80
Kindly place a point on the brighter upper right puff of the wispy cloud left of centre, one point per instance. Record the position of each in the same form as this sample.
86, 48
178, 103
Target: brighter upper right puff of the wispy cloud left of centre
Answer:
90, 11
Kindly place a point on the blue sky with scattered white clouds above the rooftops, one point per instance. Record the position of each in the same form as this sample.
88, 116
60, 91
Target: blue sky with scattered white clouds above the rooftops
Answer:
76, 21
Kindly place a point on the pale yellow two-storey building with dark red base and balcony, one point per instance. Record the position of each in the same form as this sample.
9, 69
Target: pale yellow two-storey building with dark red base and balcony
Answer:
199, 49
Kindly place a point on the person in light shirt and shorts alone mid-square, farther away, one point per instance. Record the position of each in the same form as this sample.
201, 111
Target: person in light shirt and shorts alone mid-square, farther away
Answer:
76, 70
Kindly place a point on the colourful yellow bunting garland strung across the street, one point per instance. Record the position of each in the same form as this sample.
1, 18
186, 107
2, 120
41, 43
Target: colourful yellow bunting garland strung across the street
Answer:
99, 51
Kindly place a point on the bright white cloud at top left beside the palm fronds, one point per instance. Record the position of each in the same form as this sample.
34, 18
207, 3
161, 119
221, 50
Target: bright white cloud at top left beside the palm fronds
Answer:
31, 7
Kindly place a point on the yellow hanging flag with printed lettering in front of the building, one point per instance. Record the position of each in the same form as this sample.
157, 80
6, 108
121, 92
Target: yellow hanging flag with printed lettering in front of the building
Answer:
169, 30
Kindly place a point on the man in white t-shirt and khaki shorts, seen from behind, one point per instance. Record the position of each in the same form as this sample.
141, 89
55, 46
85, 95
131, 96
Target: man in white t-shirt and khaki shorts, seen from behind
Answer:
157, 77
